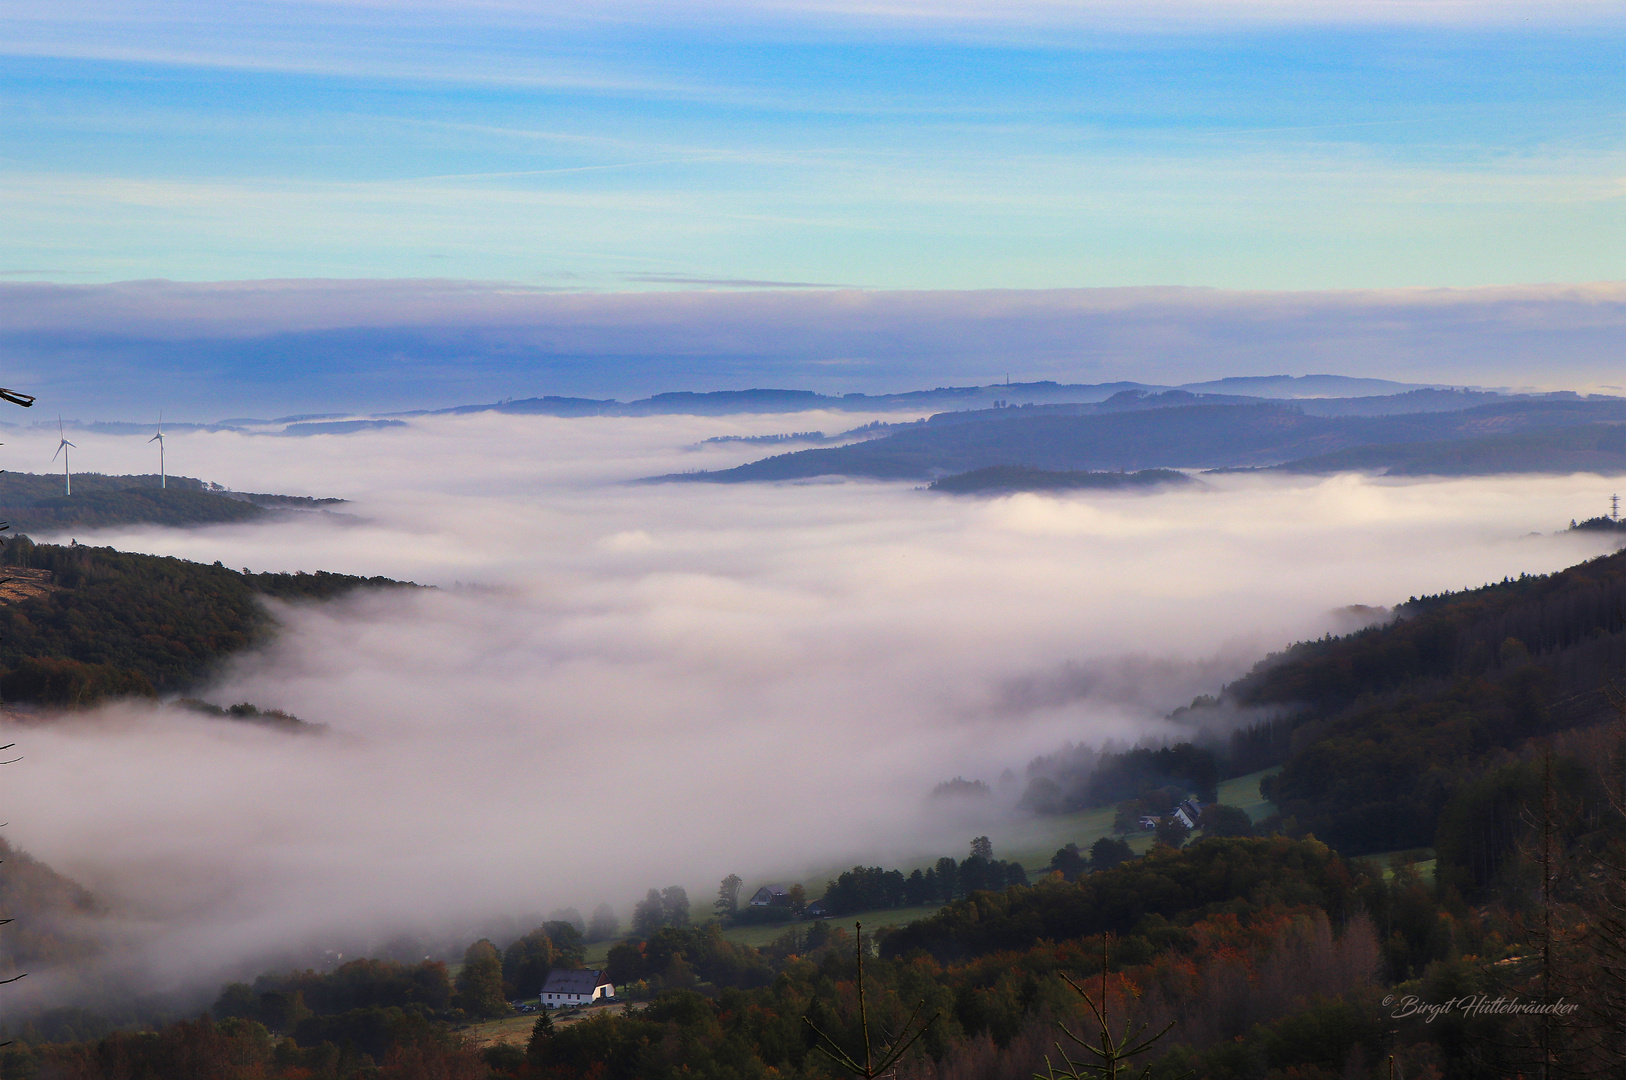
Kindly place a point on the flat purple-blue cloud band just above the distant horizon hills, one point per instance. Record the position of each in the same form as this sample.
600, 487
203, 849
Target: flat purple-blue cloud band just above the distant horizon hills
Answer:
202, 352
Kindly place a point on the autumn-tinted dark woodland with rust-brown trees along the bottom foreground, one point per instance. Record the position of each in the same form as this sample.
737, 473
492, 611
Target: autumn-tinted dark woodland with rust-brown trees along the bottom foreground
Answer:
1269, 956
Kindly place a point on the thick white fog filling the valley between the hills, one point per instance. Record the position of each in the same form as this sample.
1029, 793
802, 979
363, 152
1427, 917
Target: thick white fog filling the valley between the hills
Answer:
620, 687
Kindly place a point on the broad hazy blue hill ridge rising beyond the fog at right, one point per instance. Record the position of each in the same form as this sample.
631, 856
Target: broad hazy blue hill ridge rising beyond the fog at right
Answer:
1185, 435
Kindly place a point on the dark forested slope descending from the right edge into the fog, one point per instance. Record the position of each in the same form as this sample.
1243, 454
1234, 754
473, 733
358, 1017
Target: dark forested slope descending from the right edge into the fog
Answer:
1381, 729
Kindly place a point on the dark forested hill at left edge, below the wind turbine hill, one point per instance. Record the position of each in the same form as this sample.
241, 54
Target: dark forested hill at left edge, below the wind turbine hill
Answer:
82, 624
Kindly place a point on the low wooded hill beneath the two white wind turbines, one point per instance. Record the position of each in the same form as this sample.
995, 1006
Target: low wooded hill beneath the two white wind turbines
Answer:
38, 503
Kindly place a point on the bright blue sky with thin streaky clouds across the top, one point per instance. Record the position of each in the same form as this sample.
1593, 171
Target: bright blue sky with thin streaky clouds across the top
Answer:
906, 147
